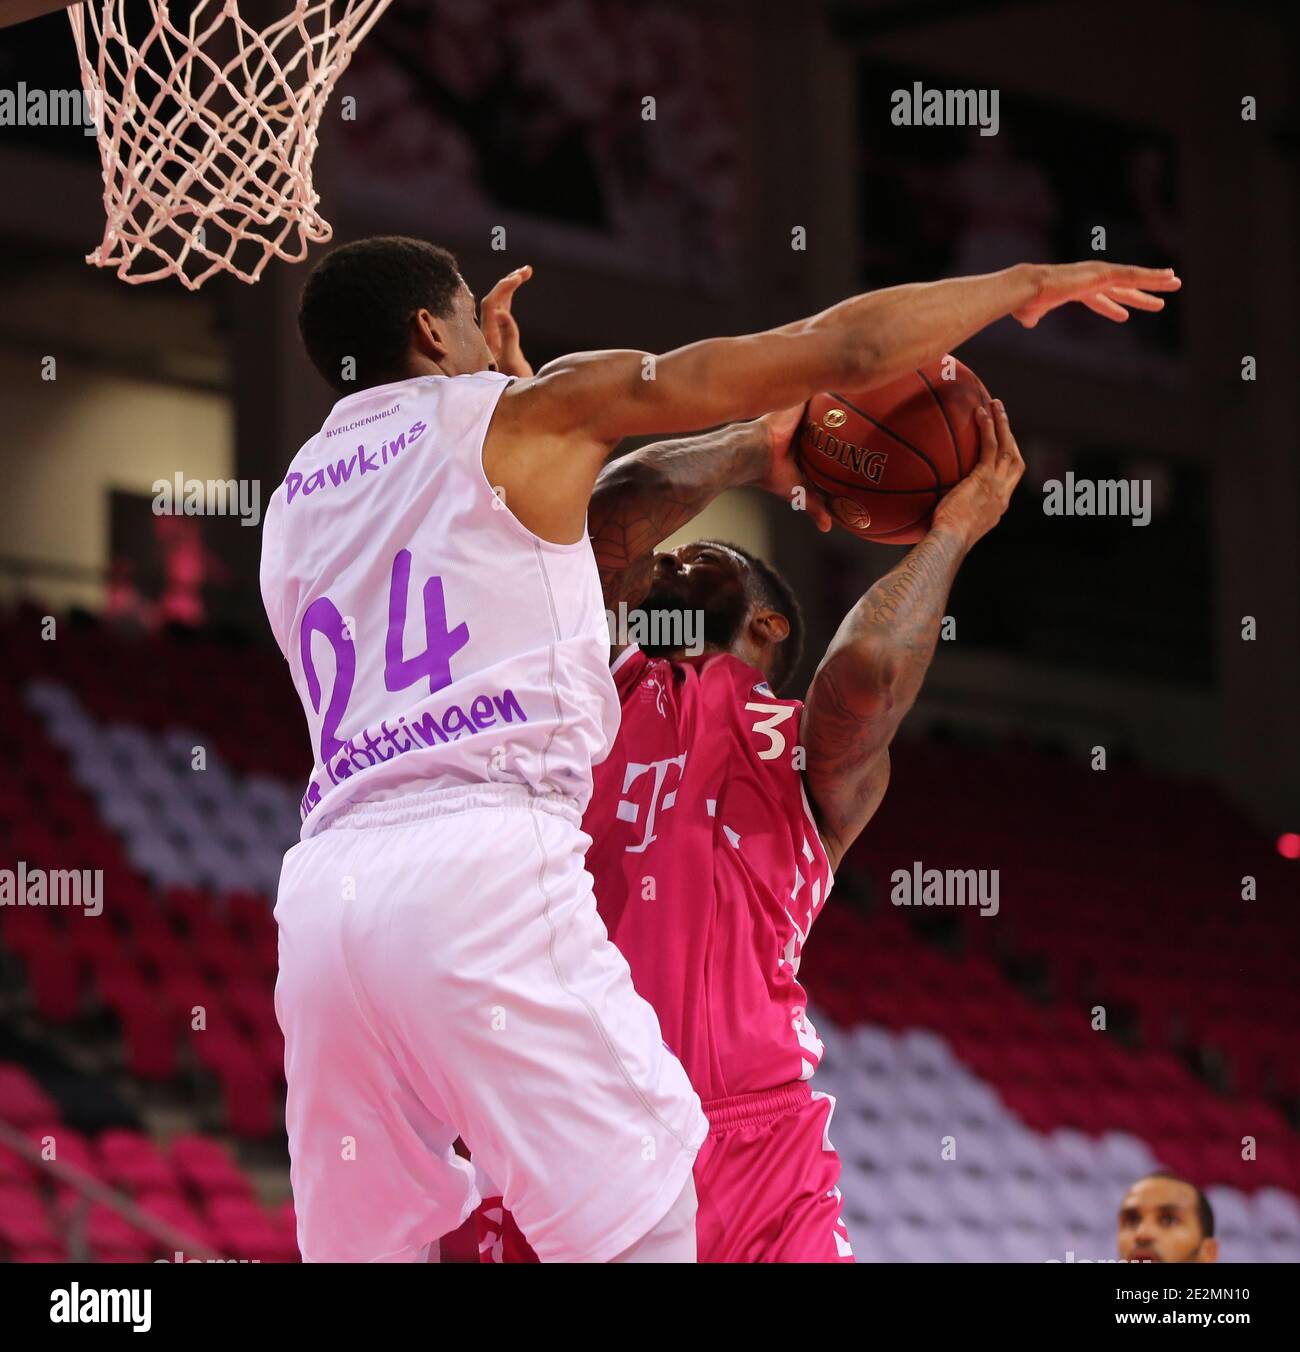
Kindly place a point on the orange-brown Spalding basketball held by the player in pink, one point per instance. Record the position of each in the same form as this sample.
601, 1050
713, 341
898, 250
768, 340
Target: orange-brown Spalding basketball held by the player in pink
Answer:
886, 458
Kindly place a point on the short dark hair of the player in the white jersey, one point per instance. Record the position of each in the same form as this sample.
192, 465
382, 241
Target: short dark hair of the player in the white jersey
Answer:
359, 304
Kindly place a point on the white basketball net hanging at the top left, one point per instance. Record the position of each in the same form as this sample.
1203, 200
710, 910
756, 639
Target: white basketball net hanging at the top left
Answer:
207, 129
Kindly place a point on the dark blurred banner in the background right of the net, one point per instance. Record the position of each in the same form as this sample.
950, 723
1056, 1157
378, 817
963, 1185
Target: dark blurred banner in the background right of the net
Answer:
597, 133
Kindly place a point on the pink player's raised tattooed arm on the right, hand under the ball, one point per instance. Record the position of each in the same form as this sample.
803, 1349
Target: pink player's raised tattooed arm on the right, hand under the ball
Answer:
874, 670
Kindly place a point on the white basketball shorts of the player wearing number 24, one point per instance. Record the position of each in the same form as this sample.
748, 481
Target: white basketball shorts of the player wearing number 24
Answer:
444, 973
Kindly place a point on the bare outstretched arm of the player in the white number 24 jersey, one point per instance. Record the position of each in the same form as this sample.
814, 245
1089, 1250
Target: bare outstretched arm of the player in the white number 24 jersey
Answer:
551, 435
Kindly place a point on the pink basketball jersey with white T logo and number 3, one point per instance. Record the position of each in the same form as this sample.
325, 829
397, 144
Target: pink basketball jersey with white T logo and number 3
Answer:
709, 866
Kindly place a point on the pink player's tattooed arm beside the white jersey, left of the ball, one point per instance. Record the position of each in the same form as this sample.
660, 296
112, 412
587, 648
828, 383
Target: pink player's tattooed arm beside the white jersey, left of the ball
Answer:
644, 497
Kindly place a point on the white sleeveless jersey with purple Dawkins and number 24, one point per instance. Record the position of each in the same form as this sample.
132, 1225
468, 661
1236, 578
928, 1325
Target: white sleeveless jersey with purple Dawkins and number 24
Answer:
433, 639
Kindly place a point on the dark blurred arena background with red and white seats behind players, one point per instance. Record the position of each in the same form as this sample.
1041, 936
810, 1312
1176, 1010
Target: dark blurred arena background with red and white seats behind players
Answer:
1111, 727
